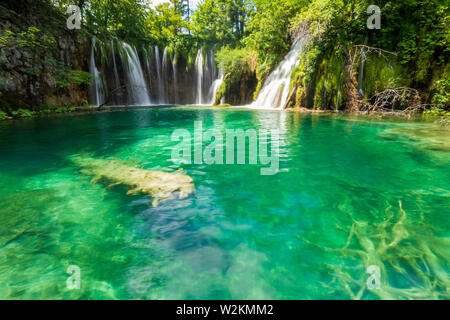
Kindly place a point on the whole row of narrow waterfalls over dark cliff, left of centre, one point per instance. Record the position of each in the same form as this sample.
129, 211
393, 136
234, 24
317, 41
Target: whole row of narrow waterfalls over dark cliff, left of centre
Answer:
150, 76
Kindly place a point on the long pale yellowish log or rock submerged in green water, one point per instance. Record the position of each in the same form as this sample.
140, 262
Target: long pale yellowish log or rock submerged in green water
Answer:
157, 184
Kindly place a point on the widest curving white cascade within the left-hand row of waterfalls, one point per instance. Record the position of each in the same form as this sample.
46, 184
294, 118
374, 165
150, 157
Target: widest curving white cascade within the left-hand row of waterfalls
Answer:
135, 75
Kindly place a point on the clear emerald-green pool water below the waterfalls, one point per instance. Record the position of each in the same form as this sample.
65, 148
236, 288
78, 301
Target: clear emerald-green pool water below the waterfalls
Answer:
242, 235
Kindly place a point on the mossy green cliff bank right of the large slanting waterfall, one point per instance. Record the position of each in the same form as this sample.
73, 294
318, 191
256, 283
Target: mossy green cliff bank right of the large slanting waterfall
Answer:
324, 87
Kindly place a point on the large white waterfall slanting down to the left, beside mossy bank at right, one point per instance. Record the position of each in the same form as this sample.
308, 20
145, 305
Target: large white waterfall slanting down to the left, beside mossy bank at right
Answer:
275, 90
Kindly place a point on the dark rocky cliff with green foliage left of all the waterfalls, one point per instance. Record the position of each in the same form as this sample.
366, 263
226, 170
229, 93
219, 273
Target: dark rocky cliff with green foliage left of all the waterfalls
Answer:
41, 61
